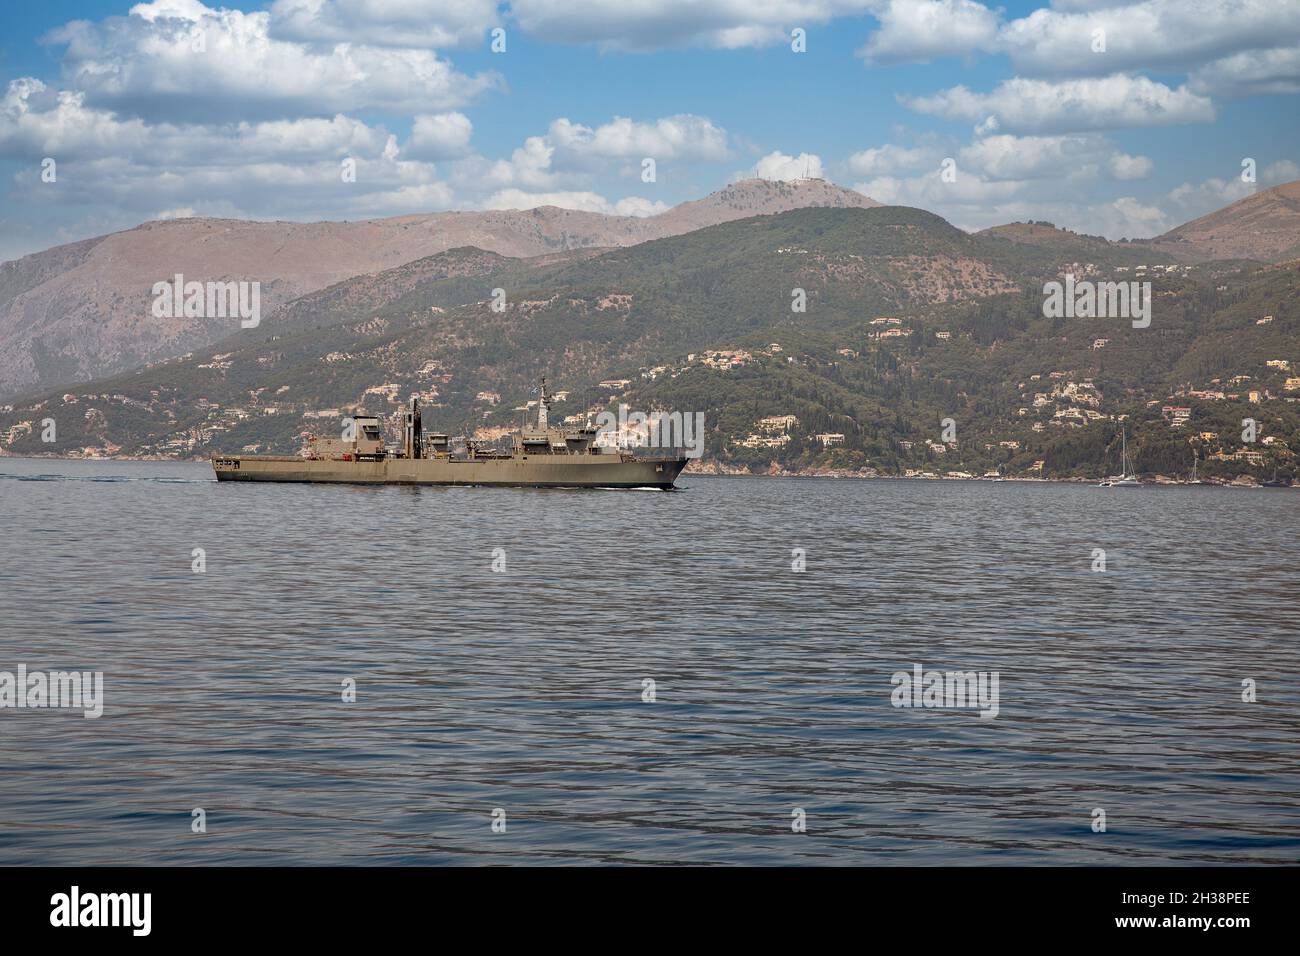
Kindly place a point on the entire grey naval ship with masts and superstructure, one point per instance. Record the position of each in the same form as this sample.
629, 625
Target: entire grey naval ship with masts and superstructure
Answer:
543, 457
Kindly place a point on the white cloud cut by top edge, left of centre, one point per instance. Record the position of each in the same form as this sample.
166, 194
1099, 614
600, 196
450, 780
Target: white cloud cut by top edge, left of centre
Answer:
385, 23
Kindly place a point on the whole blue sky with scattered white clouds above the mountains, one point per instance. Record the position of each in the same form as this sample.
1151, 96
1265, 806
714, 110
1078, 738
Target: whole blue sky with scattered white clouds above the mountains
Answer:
177, 107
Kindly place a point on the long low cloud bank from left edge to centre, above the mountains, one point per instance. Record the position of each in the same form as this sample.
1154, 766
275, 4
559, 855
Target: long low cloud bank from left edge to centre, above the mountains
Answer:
127, 170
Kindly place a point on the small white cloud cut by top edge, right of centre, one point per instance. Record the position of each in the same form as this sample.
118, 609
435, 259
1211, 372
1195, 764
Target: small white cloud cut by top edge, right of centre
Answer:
924, 31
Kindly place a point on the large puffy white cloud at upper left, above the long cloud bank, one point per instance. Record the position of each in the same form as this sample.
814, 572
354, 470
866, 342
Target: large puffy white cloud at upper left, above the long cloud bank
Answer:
183, 59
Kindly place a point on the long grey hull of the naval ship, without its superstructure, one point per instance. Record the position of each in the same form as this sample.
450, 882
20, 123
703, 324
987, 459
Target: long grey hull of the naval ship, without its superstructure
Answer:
532, 471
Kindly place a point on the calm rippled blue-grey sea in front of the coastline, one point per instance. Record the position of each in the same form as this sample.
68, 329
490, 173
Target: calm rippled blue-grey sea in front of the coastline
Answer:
523, 690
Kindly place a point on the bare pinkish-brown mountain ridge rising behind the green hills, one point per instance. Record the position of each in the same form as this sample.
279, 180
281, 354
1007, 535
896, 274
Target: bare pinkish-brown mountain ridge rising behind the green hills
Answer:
83, 312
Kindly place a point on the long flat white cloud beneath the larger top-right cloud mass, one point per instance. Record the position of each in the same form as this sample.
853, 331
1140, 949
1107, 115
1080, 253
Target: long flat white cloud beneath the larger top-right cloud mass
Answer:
1038, 106
